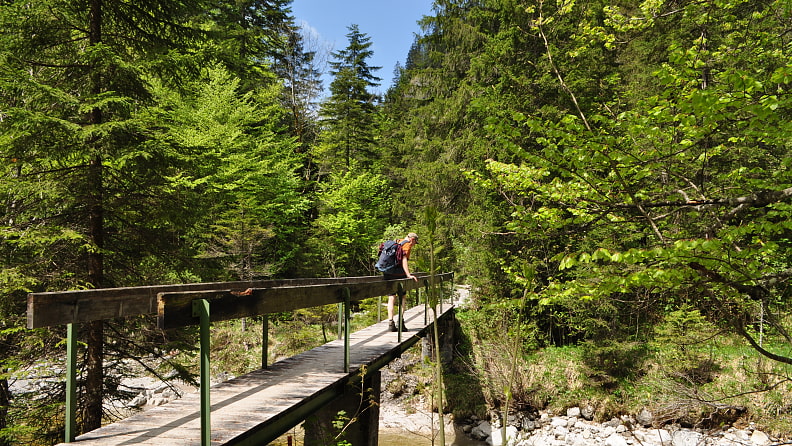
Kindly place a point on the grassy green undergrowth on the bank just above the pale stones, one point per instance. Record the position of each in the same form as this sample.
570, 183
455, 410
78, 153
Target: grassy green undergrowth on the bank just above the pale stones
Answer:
687, 372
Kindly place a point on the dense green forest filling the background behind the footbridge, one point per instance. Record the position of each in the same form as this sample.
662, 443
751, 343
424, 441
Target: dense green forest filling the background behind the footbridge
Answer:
607, 175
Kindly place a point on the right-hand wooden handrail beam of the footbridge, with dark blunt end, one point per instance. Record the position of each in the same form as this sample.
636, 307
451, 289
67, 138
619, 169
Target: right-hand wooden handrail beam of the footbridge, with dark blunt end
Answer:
175, 309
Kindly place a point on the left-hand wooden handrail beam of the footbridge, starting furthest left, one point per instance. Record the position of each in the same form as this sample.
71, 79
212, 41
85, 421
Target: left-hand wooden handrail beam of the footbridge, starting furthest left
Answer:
78, 306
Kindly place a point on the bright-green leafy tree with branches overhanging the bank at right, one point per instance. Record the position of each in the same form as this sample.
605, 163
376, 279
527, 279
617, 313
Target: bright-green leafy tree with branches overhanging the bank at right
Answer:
680, 194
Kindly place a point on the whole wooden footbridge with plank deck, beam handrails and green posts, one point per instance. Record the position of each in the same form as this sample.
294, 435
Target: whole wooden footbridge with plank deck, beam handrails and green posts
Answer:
256, 408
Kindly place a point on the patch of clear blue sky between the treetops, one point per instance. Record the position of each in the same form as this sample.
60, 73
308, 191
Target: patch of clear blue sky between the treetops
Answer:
391, 26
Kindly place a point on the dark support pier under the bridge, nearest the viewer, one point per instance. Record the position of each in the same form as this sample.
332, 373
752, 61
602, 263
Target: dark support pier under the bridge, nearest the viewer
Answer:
360, 402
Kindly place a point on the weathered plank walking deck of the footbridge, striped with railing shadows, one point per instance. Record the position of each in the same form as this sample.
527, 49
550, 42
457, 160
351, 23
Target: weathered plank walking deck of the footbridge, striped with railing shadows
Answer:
261, 399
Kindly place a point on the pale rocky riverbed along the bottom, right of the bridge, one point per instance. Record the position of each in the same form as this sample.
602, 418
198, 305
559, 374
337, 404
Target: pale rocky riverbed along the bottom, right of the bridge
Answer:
402, 409
